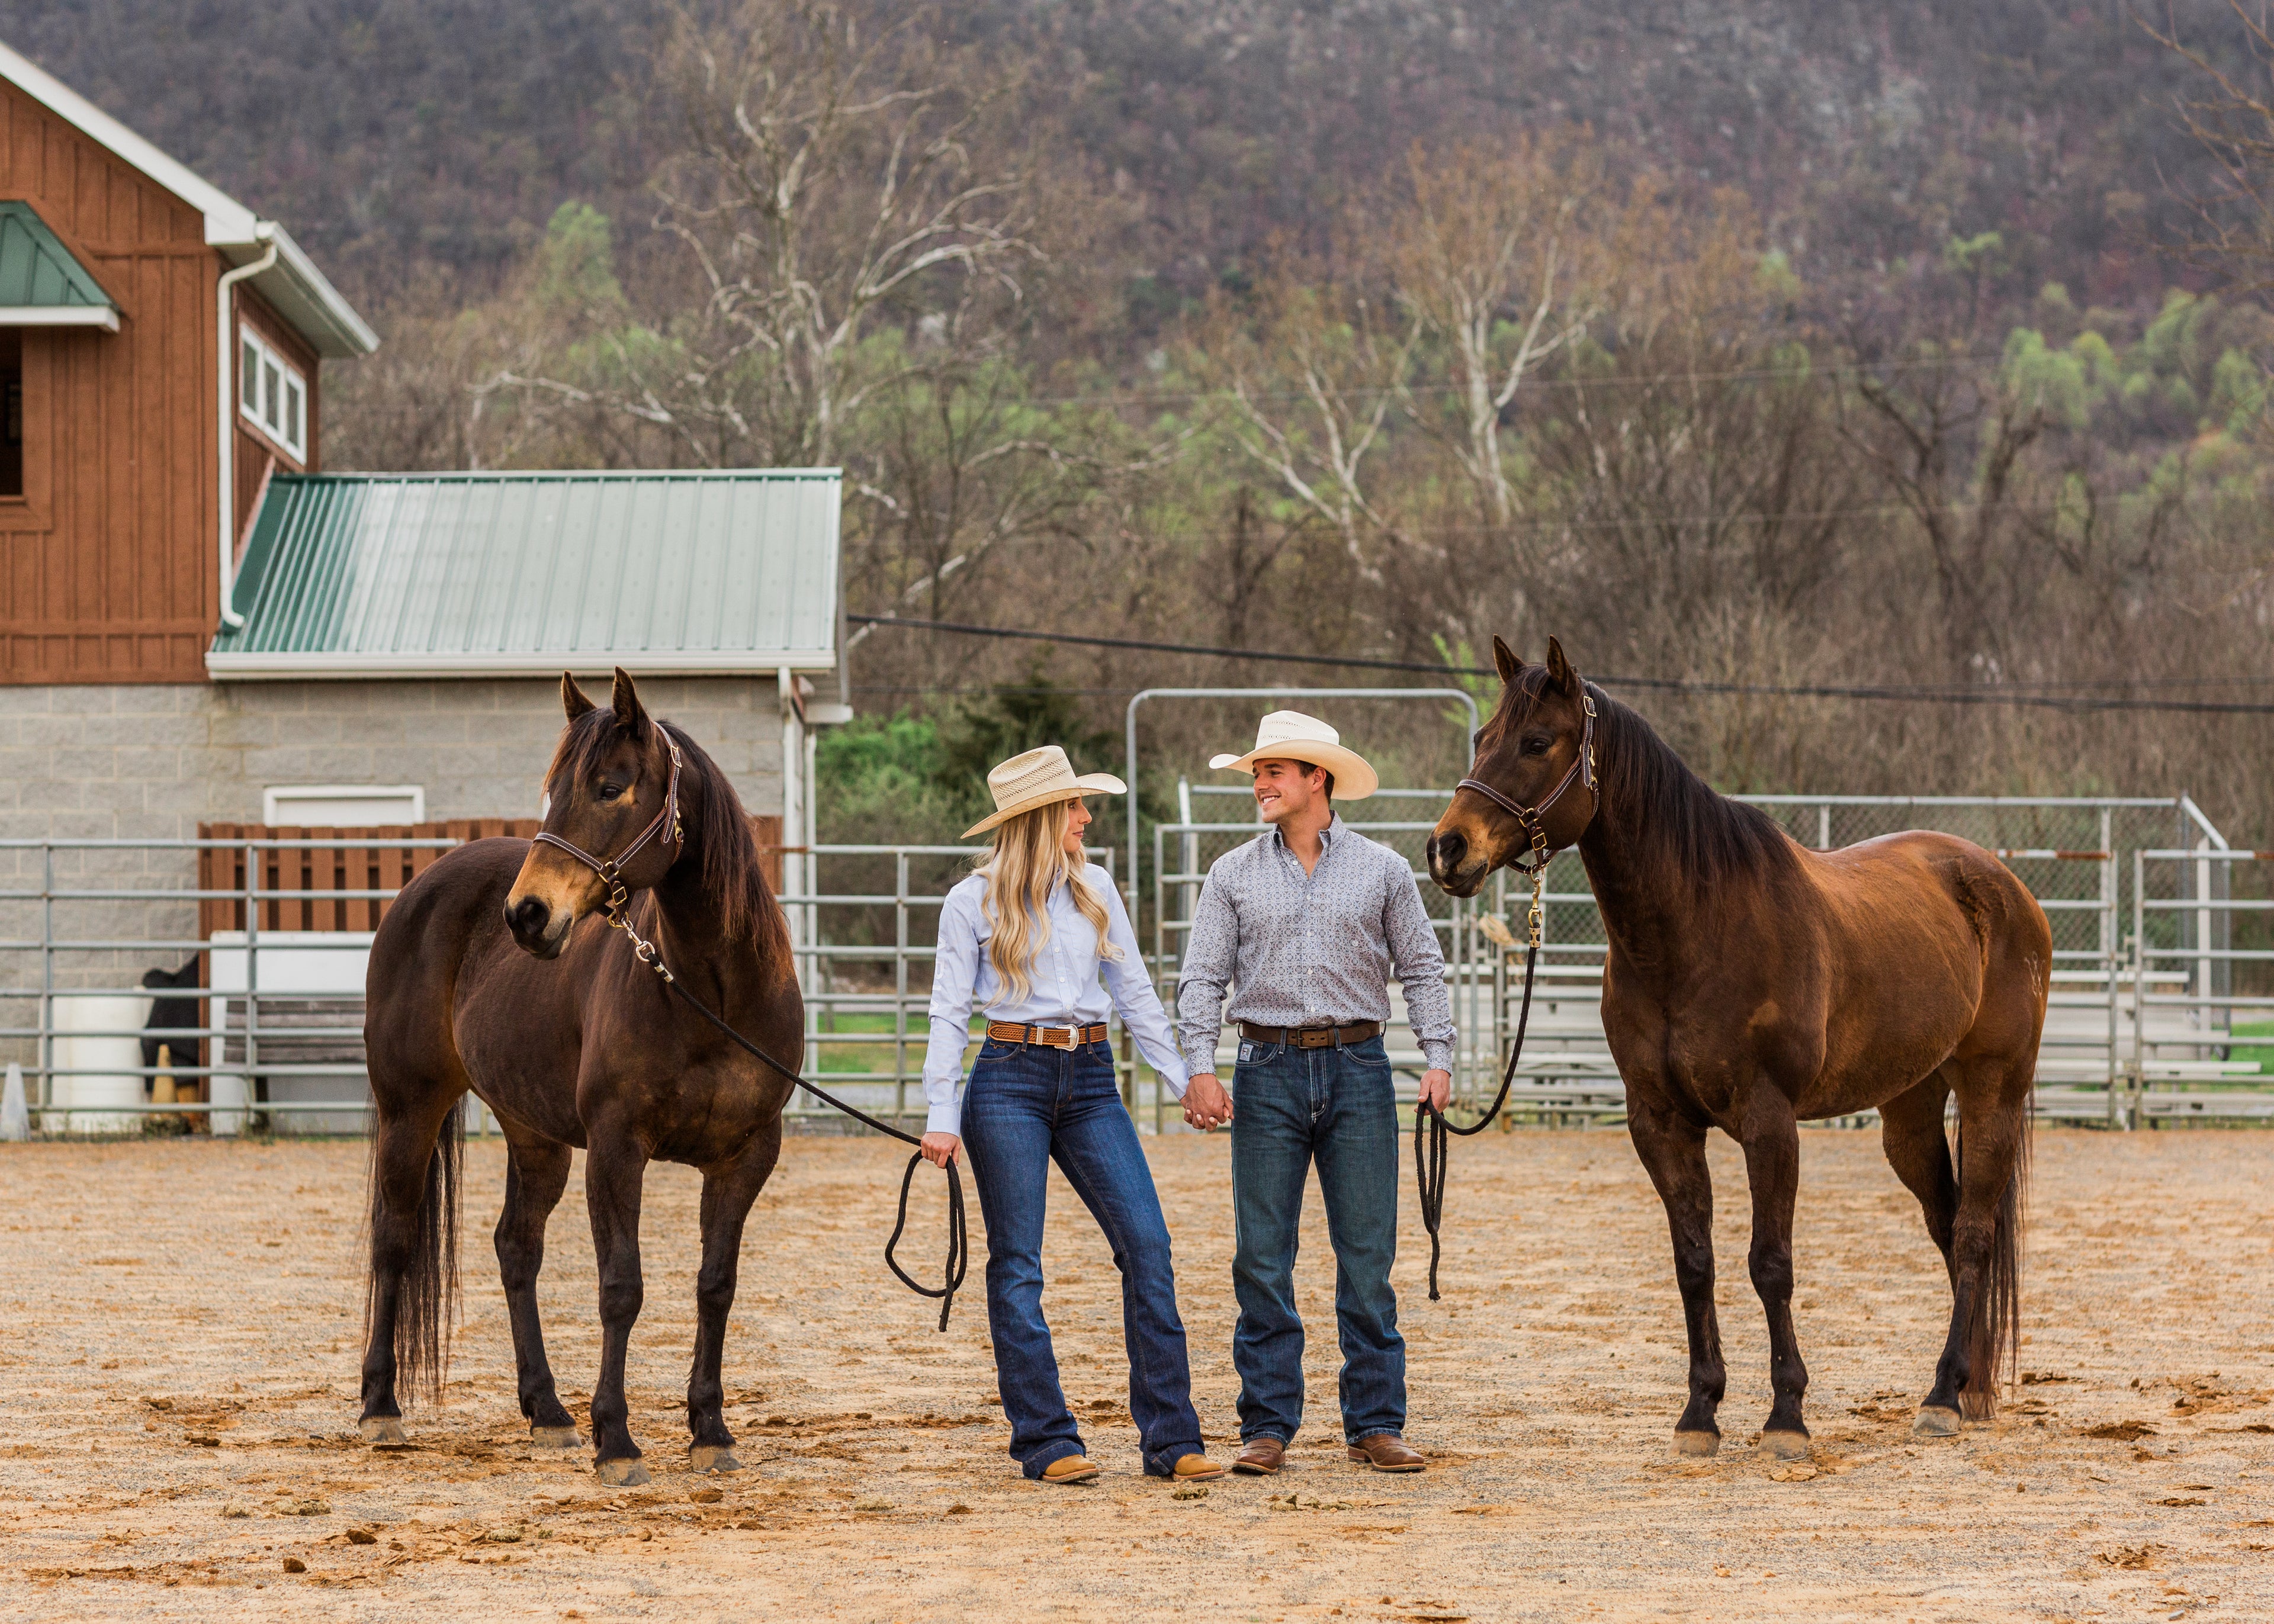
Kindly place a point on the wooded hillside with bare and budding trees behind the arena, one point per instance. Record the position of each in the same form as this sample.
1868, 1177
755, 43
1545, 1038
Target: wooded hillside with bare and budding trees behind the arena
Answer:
1745, 345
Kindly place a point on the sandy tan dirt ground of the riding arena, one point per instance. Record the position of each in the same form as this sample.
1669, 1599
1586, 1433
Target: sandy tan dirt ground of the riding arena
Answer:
181, 1366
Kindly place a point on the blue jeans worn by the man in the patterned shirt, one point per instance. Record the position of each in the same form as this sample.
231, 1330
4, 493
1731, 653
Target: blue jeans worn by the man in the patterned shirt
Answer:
1336, 1109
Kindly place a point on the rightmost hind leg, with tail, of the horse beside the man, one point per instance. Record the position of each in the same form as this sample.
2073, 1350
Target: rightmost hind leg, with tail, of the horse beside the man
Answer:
1993, 1150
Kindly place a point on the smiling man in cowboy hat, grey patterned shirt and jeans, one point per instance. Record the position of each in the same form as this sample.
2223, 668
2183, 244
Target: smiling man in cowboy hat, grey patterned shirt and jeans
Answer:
1309, 922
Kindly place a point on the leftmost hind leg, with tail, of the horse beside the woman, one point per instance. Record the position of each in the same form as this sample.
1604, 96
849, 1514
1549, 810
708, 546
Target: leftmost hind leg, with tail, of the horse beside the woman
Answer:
413, 1252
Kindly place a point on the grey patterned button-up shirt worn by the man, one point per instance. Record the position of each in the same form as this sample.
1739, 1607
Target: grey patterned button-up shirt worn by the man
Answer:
1311, 950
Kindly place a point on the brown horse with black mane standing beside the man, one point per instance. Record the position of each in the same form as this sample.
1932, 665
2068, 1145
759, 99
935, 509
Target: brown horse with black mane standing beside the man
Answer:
1754, 984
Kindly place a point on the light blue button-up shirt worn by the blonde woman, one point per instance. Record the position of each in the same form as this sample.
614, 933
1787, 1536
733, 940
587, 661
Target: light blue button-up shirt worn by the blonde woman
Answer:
1072, 986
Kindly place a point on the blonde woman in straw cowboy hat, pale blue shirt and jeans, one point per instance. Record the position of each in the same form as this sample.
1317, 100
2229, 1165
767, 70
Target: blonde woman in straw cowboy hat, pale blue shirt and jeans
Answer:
1040, 941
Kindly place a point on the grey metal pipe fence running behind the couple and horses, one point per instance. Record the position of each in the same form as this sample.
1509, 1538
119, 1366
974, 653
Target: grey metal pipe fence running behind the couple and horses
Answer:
2161, 1011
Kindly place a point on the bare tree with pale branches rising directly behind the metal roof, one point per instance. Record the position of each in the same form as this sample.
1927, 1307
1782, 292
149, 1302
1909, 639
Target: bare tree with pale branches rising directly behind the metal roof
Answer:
829, 183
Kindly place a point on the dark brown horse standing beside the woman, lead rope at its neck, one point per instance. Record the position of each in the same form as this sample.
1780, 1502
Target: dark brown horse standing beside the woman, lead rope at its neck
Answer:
499, 975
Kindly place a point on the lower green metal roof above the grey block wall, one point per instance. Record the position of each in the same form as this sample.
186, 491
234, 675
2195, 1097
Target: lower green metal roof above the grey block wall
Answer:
531, 574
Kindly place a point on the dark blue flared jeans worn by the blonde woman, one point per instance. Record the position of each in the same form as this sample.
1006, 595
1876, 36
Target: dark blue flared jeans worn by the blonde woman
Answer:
1024, 1109
